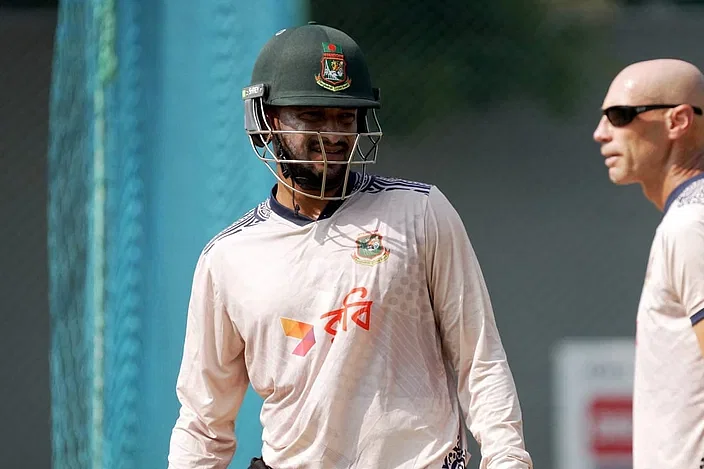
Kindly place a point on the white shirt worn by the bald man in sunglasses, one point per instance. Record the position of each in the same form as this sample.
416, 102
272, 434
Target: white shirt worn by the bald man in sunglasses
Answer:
668, 395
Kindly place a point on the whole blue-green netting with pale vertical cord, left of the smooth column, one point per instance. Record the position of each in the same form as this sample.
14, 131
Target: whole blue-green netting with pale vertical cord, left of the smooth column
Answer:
95, 199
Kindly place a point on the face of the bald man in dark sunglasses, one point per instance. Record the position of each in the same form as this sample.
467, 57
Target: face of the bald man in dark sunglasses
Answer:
635, 152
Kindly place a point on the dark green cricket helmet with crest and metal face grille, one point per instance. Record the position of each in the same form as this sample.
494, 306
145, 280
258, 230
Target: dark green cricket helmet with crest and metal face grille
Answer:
317, 66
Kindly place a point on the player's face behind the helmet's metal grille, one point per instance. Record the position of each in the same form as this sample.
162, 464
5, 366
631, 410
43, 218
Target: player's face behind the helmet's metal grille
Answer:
314, 148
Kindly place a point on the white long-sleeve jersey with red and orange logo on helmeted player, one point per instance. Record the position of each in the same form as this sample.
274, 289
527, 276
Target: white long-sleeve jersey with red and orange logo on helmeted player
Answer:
368, 333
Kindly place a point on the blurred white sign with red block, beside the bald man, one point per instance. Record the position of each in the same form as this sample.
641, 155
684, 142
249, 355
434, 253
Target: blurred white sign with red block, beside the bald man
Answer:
593, 389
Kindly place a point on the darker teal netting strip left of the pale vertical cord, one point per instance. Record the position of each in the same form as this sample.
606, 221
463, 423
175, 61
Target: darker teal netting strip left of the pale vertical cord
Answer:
70, 220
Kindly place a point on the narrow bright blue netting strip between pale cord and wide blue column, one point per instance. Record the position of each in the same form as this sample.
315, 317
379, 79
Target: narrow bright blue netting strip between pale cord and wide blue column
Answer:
125, 247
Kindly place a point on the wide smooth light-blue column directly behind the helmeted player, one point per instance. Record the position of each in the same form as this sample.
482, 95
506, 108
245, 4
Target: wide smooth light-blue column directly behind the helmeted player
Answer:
199, 176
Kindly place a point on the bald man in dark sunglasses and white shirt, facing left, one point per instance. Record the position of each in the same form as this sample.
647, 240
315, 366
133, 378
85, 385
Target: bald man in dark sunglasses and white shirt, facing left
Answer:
652, 133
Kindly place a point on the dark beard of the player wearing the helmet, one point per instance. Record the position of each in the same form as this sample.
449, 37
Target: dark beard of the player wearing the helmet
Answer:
306, 176
